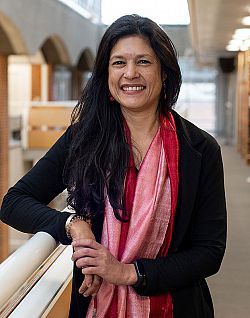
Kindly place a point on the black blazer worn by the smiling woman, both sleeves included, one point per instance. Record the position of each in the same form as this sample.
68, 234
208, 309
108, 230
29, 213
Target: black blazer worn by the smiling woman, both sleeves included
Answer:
199, 236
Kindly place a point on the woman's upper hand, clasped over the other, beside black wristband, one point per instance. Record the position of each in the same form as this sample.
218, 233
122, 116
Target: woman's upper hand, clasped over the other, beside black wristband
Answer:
95, 259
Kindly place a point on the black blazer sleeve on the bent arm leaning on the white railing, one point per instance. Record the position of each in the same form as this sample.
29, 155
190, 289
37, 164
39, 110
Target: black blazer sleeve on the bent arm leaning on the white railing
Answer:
25, 207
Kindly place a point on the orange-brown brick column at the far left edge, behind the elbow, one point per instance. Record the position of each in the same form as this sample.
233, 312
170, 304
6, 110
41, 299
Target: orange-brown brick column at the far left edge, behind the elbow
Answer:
4, 149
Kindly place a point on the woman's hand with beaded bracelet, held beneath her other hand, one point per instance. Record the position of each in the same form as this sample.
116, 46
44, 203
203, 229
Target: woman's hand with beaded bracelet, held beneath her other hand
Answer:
91, 283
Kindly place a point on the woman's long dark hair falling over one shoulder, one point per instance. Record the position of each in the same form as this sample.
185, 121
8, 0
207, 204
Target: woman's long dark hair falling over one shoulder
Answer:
99, 154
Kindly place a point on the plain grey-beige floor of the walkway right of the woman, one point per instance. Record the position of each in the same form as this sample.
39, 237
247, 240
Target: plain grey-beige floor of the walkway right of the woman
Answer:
231, 286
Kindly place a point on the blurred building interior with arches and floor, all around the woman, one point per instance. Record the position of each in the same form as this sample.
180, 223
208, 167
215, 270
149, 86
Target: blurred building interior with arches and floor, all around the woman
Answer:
47, 51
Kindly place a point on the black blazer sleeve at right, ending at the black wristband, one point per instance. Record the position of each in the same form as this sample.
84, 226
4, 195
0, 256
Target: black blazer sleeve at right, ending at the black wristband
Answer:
202, 254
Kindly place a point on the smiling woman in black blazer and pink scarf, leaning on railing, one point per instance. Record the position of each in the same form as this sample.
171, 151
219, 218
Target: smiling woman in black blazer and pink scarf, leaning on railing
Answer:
147, 187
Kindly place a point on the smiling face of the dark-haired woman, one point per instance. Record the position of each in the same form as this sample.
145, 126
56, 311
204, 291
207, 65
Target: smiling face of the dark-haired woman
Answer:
134, 79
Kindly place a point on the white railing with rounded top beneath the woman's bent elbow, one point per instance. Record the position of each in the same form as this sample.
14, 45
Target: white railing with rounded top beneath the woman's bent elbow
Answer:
32, 276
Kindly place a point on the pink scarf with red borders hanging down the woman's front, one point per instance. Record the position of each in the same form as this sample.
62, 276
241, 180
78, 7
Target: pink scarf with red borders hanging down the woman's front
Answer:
152, 205
